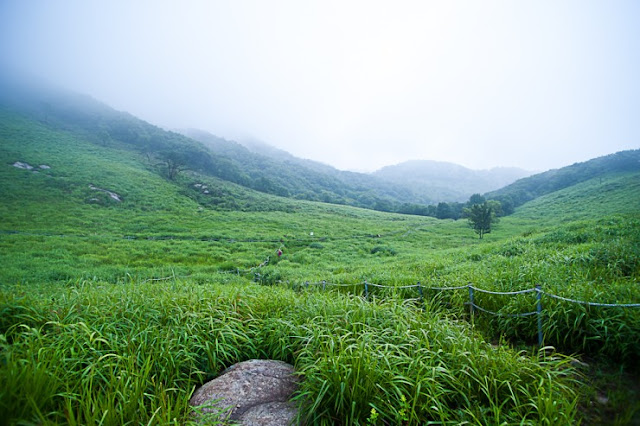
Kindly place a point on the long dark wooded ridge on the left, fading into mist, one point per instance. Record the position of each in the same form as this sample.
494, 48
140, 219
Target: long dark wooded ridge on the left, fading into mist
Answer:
227, 160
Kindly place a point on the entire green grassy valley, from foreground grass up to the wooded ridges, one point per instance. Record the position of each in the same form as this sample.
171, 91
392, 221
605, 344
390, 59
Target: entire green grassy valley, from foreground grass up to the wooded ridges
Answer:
87, 338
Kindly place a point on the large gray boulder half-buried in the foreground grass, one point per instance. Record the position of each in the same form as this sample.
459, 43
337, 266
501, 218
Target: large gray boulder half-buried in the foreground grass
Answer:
254, 392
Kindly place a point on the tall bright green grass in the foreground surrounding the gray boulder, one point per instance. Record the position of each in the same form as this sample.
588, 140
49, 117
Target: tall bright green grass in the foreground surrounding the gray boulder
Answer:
96, 353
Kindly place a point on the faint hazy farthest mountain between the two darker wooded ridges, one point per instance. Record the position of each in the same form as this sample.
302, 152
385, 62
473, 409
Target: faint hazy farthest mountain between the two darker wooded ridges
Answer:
442, 181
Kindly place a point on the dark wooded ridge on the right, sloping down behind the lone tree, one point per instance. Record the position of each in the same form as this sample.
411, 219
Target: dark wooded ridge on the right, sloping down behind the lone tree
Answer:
535, 186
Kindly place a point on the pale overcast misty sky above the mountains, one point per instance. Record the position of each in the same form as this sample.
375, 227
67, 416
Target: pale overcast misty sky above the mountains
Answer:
355, 84
